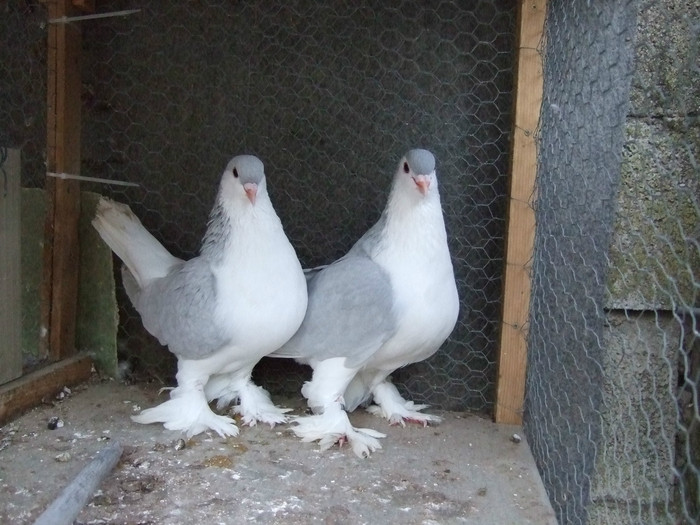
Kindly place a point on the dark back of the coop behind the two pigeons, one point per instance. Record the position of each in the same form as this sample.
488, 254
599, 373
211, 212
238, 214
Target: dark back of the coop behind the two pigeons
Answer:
329, 96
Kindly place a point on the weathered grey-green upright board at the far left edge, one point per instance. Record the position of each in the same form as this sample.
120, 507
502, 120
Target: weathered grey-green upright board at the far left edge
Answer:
10, 266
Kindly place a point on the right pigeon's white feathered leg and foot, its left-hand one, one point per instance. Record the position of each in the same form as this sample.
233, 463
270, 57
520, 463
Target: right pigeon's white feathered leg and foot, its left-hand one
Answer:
330, 423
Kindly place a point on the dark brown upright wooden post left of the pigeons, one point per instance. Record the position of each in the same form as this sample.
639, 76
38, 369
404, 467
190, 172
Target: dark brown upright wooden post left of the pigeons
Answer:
59, 295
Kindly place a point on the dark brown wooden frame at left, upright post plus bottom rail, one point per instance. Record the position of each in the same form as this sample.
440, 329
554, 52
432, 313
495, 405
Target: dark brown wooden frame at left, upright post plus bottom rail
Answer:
59, 286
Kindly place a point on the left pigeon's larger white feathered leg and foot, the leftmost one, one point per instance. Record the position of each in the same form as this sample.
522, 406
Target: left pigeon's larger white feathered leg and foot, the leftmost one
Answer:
187, 409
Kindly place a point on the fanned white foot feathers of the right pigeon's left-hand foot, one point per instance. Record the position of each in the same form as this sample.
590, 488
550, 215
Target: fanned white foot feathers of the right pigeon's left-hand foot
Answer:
333, 426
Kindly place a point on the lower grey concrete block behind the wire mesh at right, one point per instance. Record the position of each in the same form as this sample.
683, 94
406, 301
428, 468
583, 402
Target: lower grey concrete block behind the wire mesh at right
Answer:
633, 479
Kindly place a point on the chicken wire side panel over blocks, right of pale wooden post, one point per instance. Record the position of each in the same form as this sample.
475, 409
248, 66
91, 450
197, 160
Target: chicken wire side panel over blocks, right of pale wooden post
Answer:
612, 385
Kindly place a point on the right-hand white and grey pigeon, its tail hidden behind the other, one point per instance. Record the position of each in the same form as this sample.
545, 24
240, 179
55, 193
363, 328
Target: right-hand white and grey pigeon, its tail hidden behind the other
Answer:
390, 301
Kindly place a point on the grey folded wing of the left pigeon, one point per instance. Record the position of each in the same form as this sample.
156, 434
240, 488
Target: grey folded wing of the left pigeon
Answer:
178, 310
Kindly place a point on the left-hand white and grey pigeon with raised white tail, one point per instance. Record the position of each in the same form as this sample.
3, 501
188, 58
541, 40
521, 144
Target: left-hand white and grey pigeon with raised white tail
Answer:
243, 297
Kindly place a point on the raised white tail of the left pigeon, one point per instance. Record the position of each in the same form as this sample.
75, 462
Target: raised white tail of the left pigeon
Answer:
143, 255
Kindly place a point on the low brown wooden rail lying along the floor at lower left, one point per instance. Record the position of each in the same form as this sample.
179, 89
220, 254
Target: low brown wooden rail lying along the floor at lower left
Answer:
27, 392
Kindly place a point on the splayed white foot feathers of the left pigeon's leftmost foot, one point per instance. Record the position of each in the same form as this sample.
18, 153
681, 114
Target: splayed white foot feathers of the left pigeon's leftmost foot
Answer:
187, 410
